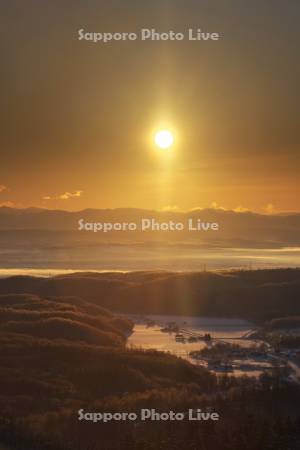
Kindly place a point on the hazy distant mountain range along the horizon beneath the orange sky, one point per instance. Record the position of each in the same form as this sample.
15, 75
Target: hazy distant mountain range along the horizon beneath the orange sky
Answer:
236, 229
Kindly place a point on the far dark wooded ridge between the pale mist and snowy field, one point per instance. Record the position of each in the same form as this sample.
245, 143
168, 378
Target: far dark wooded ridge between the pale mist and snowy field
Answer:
256, 295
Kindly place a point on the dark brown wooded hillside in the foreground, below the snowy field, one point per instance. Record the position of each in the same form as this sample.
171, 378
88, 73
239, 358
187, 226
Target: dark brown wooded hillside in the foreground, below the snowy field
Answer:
62, 354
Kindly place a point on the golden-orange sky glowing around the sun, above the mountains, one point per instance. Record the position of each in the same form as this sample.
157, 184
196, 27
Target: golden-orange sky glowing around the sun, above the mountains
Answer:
78, 118
